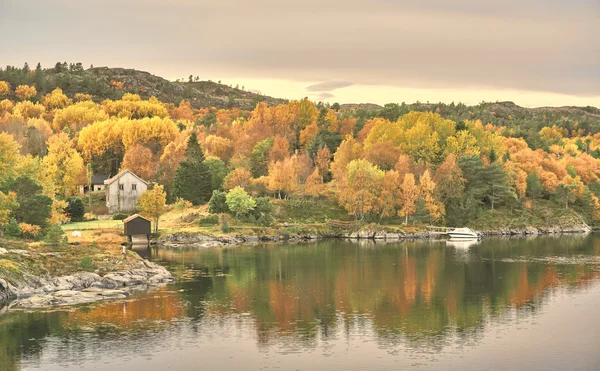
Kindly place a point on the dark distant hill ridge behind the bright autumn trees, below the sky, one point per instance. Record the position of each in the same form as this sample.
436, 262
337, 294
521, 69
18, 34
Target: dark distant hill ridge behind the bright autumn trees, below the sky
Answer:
111, 83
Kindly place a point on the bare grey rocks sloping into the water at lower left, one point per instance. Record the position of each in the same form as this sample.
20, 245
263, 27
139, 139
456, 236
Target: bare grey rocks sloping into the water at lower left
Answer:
83, 287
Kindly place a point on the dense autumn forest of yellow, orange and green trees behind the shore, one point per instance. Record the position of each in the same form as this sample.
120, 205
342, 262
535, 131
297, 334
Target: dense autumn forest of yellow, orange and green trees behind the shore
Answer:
401, 164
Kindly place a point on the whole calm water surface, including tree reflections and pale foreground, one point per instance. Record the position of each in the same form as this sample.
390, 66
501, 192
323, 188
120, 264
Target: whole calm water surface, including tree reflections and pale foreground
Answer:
520, 304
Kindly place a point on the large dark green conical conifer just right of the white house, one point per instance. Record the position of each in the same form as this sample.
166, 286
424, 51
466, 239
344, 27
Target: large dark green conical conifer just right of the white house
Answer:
193, 178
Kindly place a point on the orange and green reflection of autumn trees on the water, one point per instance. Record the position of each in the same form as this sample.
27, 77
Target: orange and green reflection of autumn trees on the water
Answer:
421, 295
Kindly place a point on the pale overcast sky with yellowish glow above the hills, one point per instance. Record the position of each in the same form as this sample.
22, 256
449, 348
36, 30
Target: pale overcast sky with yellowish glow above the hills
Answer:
531, 52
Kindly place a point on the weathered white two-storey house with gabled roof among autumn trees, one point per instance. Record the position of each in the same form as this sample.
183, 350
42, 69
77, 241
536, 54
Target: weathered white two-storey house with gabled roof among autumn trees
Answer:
123, 191
